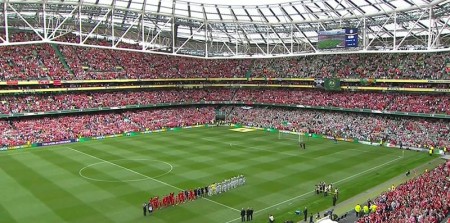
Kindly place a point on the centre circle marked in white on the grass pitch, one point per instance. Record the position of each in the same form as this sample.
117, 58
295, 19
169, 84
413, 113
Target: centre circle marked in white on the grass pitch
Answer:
125, 170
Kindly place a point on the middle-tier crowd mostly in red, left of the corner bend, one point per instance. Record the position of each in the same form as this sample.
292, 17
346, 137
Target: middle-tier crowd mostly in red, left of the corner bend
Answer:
55, 102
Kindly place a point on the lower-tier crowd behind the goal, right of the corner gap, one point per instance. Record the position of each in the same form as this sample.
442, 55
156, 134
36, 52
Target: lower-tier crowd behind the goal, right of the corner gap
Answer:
411, 132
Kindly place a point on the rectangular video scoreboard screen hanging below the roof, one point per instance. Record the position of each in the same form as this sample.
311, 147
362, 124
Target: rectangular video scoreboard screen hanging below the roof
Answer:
339, 38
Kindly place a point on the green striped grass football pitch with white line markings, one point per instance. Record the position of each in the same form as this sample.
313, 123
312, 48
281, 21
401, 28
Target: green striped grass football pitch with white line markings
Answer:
108, 180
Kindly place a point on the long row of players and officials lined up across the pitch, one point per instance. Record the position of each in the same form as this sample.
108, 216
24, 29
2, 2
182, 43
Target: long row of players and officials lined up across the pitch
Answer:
189, 195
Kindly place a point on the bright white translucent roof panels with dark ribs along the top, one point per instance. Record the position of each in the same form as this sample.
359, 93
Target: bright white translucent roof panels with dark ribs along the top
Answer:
272, 11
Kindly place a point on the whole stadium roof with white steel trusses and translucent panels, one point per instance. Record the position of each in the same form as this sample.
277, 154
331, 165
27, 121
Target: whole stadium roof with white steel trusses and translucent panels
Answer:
277, 27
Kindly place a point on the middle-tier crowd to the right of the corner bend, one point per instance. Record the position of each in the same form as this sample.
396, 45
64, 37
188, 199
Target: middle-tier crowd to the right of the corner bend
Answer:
428, 103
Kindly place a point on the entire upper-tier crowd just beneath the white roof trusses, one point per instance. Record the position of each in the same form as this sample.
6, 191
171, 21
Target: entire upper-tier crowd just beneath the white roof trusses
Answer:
40, 60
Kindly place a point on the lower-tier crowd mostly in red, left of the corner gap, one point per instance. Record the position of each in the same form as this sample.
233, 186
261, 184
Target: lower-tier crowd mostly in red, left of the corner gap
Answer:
47, 129
